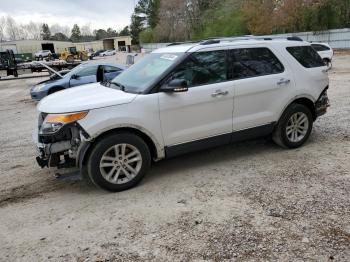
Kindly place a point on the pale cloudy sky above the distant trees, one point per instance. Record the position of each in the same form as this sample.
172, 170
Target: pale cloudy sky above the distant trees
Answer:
98, 13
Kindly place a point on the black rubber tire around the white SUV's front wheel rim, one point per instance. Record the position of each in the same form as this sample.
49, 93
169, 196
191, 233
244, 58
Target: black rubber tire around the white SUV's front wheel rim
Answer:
102, 146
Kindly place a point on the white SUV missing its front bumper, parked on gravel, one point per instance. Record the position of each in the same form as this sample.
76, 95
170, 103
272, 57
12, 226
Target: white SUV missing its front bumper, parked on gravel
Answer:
180, 99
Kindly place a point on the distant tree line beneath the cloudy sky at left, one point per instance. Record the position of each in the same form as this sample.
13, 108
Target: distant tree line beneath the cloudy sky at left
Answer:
11, 30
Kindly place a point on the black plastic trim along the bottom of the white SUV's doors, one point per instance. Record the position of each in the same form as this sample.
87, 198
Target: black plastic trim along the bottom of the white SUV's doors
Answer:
260, 131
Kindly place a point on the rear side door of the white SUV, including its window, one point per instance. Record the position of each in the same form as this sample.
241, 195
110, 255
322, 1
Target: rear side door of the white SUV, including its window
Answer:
261, 82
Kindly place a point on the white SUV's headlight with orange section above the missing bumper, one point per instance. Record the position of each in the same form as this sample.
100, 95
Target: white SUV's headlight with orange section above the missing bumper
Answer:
54, 122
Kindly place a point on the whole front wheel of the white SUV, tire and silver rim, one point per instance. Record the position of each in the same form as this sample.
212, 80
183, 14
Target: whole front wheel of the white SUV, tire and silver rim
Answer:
119, 162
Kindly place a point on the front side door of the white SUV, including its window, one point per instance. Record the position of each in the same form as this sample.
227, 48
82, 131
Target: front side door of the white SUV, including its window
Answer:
205, 110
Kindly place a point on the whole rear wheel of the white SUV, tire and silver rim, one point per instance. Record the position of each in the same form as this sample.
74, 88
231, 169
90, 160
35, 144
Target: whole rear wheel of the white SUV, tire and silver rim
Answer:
294, 127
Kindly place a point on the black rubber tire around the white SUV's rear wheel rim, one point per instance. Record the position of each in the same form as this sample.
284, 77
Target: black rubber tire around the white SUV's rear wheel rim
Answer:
280, 136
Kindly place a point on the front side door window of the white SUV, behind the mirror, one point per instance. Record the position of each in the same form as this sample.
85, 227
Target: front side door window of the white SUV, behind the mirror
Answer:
203, 68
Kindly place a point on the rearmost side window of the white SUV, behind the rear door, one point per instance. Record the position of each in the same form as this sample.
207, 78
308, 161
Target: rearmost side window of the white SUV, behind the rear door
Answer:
306, 56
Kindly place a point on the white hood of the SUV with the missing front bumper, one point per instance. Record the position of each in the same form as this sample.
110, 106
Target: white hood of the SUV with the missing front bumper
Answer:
82, 98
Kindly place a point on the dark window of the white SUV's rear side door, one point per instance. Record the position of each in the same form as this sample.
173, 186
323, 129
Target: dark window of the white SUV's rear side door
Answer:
253, 62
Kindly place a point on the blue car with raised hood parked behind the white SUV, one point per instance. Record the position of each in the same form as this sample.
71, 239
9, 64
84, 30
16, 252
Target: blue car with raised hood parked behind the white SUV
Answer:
83, 74
